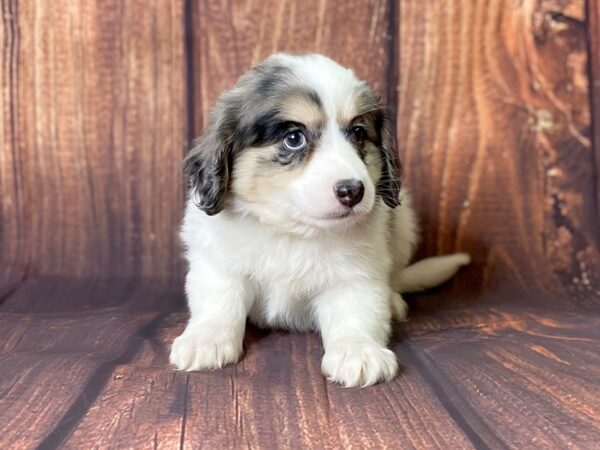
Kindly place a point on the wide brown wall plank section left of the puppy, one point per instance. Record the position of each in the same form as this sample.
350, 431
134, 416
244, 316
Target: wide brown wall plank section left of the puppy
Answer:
94, 120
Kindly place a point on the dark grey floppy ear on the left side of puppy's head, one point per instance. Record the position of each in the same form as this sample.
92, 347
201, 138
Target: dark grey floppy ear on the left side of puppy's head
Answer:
206, 167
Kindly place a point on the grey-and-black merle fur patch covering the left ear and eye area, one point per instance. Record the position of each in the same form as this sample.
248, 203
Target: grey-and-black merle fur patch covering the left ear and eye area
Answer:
248, 115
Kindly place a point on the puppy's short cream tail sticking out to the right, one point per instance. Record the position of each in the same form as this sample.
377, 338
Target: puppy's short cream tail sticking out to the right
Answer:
429, 272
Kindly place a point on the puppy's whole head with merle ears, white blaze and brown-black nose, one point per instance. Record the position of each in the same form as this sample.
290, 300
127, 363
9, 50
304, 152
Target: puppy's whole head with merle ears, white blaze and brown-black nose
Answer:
299, 141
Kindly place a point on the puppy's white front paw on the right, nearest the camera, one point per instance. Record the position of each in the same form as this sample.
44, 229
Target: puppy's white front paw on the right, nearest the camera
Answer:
359, 363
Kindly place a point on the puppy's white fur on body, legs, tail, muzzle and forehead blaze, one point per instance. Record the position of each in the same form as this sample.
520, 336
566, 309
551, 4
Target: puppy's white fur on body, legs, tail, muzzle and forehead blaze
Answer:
287, 265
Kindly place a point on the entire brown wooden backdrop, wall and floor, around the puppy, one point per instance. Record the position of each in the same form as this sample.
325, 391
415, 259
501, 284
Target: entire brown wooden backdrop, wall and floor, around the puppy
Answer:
497, 112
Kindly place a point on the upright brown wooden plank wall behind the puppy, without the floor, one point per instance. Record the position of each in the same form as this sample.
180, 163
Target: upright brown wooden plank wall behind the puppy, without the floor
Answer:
493, 119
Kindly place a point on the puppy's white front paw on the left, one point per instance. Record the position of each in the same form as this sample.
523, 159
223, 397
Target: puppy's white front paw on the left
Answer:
206, 348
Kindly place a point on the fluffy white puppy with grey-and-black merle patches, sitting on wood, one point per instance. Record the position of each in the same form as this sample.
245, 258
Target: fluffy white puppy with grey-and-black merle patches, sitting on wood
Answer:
296, 219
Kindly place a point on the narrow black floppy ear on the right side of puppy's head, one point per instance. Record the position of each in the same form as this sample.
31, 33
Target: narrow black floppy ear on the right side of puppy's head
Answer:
389, 183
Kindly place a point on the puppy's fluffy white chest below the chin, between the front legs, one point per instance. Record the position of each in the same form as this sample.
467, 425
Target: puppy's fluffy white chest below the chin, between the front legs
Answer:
287, 271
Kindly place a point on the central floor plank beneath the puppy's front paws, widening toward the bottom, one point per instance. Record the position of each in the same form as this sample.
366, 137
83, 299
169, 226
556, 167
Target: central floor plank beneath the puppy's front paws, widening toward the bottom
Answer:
259, 403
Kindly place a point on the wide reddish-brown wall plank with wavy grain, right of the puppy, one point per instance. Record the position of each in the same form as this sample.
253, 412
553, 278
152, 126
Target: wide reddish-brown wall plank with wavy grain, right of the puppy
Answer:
494, 129
